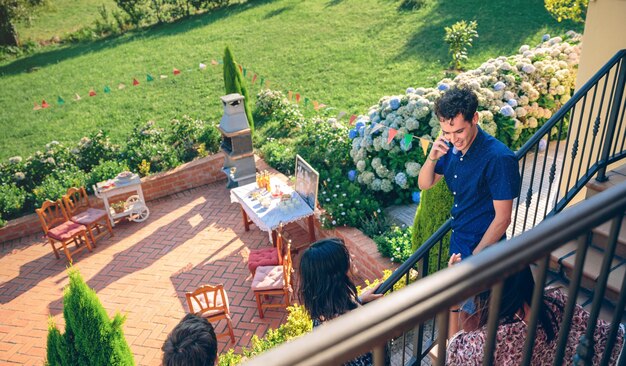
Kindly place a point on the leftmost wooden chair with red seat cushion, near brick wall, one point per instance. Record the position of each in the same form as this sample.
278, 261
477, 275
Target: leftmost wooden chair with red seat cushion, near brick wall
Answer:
58, 228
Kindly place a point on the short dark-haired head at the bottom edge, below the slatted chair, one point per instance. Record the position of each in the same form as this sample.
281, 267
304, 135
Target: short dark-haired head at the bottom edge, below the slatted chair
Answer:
192, 343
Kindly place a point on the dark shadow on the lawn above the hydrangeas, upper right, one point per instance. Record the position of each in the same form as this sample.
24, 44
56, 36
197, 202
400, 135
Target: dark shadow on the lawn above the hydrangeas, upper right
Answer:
499, 26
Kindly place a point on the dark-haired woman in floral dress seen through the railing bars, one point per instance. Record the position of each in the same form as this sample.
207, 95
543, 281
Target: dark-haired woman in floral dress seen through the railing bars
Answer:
467, 346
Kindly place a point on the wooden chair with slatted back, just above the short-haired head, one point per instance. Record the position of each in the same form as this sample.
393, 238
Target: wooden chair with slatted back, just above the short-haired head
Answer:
211, 302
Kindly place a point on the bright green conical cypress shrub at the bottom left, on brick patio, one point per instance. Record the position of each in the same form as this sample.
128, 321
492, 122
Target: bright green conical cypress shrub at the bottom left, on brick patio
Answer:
90, 337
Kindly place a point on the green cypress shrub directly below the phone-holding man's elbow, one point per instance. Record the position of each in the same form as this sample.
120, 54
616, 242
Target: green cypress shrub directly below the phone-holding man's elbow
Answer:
433, 211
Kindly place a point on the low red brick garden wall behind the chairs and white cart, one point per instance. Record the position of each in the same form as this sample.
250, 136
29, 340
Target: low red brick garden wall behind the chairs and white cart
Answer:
186, 176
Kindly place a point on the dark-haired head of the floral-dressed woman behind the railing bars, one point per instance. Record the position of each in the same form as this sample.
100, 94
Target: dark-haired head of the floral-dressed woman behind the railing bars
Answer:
517, 292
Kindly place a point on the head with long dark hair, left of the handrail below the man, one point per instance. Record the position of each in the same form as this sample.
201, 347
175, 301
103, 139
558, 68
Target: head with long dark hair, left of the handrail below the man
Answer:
326, 289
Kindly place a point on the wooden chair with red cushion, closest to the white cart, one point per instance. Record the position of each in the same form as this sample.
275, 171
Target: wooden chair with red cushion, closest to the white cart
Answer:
80, 211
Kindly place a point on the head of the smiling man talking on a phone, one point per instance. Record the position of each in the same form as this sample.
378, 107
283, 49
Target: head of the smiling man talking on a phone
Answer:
456, 111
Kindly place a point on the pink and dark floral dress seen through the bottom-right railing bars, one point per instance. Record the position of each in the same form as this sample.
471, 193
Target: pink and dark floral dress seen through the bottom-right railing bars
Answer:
466, 348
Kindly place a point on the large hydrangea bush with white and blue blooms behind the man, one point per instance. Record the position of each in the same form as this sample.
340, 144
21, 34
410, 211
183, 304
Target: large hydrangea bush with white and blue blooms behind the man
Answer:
516, 94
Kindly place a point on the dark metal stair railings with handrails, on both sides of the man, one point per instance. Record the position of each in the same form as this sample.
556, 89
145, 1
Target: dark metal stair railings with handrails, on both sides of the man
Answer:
579, 142
